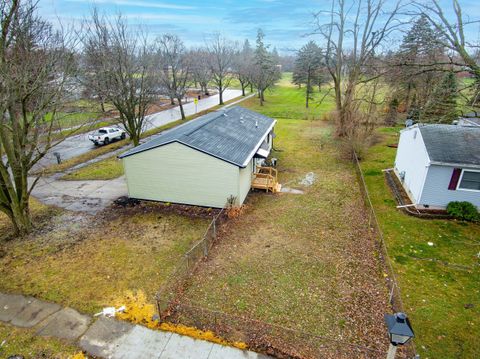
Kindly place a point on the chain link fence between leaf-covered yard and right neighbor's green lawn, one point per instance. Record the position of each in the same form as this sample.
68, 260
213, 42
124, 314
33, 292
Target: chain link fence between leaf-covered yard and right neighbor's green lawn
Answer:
395, 297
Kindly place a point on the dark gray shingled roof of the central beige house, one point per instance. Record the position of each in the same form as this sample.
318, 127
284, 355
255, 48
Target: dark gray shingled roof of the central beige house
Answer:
232, 135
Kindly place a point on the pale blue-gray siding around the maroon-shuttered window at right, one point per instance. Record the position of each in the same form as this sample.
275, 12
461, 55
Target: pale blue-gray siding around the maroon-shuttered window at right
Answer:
436, 192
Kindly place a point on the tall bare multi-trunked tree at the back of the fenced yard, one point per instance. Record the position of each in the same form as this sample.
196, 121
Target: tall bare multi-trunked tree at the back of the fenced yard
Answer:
353, 37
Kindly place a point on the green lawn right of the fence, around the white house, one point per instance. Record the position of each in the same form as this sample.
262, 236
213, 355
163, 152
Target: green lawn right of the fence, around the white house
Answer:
442, 300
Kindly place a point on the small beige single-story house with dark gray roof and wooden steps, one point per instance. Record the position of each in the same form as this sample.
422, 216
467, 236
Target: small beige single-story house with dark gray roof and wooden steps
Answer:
202, 162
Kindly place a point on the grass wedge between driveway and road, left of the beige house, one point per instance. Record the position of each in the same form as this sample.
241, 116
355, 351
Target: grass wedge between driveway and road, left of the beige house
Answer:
106, 169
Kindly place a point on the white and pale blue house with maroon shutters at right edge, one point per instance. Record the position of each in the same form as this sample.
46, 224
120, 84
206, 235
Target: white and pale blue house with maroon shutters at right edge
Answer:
438, 164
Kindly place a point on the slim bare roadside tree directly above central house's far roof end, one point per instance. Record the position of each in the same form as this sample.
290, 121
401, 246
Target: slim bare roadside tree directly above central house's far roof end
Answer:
222, 52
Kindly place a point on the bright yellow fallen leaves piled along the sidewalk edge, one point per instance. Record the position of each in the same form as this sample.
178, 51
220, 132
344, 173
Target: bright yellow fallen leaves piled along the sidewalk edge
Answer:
139, 311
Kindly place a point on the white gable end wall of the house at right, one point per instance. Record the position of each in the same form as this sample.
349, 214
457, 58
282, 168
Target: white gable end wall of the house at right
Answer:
412, 158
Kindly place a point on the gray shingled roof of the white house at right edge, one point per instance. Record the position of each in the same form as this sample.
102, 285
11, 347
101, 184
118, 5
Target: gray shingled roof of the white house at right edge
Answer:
451, 144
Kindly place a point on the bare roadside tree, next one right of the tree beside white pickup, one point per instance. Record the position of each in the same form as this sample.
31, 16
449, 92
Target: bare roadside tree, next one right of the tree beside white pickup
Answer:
175, 67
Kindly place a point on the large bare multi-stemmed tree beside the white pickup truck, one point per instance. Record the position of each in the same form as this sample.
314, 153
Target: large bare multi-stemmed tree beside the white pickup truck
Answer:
125, 70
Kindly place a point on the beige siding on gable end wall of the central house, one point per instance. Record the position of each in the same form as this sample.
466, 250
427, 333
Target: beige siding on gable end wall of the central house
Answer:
179, 174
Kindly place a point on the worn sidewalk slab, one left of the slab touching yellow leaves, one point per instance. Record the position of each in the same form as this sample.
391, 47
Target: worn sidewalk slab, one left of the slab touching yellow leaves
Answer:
66, 324
